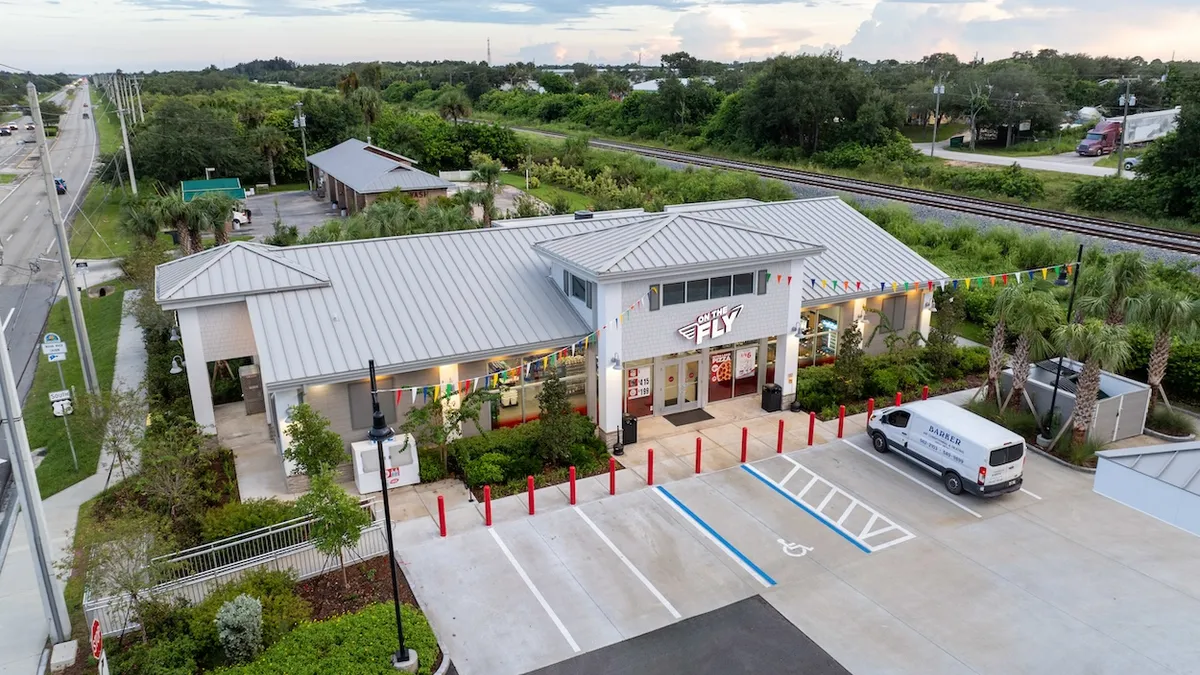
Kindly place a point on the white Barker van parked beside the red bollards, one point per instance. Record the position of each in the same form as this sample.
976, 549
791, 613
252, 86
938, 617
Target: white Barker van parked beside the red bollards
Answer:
969, 452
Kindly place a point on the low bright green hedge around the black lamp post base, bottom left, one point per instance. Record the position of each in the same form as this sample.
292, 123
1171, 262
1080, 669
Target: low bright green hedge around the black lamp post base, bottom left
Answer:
355, 644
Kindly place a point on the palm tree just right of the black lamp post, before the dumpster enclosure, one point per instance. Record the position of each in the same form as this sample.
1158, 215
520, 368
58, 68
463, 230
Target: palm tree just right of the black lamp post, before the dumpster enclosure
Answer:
1099, 347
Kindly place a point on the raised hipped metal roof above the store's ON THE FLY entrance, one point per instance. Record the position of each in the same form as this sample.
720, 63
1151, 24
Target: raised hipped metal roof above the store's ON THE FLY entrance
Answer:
670, 242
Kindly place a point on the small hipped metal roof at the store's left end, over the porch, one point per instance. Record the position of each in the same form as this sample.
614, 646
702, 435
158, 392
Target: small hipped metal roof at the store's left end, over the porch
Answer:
241, 268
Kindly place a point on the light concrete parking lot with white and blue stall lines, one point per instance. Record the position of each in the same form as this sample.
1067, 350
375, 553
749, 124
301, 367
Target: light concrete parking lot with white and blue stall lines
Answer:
860, 552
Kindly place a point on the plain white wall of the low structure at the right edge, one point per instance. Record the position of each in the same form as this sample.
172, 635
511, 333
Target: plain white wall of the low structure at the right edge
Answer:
1151, 497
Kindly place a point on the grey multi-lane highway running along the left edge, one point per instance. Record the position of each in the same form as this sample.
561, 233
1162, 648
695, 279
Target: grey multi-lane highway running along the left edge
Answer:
31, 273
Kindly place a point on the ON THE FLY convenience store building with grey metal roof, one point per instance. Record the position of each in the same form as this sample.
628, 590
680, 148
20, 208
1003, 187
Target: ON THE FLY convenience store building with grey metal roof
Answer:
647, 314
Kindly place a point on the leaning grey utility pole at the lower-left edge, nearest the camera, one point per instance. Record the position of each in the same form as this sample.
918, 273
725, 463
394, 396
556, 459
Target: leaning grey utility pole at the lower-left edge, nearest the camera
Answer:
53, 604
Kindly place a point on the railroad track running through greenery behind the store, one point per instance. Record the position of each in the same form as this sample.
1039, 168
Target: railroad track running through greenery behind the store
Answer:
1118, 231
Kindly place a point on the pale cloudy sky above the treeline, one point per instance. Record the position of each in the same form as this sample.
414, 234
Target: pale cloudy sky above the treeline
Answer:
101, 35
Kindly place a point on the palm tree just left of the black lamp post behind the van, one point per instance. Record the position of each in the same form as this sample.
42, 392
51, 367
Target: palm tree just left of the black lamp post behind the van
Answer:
1030, 312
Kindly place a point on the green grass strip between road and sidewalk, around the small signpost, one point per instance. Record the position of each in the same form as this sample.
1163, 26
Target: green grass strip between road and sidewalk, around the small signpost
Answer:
104, 318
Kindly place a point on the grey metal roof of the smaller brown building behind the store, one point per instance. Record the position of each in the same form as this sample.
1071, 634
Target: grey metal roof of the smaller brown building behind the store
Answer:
369, 170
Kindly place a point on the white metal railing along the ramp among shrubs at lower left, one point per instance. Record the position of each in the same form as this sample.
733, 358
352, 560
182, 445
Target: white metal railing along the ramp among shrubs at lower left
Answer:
305, 561
